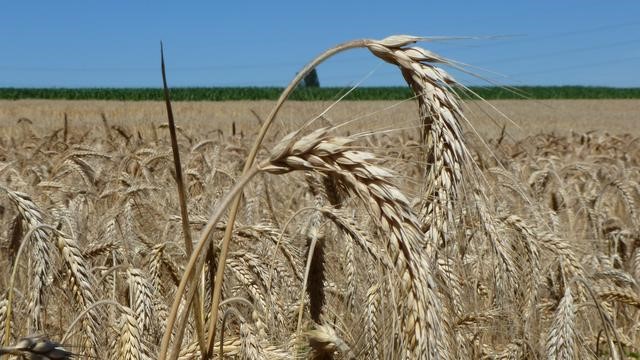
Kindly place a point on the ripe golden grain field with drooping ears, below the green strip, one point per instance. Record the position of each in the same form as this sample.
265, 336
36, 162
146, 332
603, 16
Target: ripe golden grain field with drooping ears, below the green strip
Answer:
361, 230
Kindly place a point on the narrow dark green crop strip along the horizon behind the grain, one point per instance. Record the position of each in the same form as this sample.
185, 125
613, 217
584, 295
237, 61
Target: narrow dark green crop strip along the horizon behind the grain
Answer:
272, 93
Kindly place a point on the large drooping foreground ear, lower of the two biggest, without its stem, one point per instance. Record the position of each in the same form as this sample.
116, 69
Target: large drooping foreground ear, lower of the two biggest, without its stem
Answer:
390, 210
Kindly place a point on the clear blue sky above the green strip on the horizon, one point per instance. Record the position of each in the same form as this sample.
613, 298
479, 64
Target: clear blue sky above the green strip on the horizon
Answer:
261, 43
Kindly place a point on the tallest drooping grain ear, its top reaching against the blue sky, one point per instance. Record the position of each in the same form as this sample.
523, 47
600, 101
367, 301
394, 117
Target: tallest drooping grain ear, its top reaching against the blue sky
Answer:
441, 114
